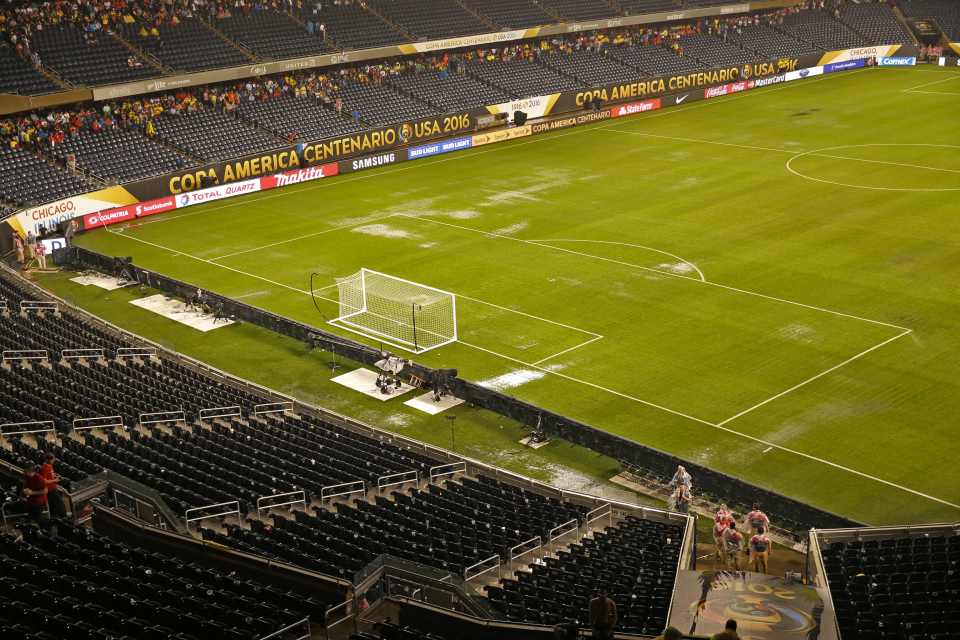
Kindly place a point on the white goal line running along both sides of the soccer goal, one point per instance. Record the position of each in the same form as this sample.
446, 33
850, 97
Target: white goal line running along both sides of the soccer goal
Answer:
608, 390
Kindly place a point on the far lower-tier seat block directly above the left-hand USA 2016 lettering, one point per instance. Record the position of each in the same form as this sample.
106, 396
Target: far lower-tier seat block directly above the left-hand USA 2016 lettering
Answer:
449, 92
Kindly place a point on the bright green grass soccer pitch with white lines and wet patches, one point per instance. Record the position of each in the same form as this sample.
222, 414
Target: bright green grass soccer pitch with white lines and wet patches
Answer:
766, 284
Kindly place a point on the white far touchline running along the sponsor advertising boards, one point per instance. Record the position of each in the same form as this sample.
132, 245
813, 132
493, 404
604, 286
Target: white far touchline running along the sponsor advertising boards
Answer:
457, 156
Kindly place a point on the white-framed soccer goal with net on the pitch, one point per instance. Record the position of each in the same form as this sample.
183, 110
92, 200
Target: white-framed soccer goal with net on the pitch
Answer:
405, 314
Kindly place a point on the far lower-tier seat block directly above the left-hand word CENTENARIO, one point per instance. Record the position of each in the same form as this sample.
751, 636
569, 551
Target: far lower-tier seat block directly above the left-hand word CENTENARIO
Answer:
304, 118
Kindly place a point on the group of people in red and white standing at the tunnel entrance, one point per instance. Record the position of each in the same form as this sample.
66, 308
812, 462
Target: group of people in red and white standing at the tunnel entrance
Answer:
732, 546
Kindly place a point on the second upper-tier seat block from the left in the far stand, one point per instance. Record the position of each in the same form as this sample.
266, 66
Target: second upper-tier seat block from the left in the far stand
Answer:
88, 59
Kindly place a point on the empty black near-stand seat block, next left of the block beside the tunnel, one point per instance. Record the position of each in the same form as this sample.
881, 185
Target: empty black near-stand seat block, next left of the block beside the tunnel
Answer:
450, 528
